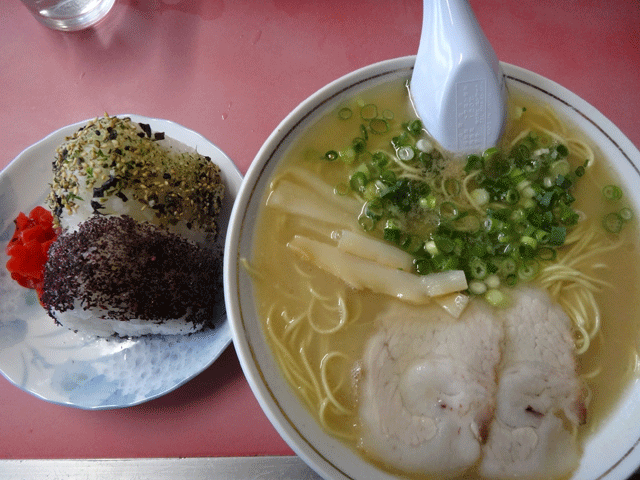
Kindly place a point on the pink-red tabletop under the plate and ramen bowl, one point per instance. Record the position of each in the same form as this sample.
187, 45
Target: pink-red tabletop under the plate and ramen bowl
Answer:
232, 71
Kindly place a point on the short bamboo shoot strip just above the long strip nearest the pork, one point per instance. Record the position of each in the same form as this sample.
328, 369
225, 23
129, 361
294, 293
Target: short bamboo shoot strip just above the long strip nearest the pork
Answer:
376, 250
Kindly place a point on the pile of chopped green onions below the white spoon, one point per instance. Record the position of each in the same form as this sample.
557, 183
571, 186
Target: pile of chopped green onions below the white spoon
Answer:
516, 212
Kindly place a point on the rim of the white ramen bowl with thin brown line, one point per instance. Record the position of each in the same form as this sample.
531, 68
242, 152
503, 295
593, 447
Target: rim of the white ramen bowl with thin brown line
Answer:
248, 356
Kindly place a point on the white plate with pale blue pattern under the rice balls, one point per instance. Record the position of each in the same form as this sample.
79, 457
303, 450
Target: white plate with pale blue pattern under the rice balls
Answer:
73, 369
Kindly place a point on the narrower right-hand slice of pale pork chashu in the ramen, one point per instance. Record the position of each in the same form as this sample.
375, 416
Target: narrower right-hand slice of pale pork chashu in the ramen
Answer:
540, 399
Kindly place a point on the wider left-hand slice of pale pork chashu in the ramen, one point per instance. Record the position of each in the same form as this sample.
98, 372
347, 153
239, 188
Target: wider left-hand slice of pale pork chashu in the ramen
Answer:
429, 386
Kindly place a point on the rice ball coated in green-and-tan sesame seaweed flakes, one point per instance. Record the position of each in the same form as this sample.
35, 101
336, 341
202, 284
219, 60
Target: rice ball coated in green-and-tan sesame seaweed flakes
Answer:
115, 166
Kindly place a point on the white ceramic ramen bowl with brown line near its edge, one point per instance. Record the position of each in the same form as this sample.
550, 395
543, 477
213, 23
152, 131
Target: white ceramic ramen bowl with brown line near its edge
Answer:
612, 453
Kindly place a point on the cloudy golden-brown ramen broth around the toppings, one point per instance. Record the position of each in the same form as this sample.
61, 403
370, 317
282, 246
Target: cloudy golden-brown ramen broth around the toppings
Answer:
318, 326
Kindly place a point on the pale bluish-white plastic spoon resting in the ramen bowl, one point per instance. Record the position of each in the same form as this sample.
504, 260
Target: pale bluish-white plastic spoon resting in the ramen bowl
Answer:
457, 85
